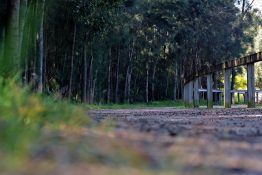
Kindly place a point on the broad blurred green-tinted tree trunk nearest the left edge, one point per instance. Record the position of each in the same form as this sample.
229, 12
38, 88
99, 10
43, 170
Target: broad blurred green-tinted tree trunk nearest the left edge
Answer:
11, 52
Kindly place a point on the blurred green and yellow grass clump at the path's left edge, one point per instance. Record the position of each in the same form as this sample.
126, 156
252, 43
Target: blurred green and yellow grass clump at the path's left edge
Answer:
23, 116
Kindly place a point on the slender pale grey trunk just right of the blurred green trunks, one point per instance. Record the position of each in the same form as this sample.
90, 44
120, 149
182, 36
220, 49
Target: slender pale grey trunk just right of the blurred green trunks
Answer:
41, 50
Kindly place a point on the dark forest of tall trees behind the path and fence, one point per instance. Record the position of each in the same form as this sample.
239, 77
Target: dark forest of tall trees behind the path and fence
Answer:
101, 51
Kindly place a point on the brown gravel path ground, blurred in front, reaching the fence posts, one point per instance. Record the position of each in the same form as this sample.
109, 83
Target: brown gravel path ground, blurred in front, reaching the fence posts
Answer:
162, 141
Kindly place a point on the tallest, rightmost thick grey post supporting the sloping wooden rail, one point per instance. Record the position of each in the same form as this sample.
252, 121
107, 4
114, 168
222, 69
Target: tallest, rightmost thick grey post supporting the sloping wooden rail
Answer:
251, 85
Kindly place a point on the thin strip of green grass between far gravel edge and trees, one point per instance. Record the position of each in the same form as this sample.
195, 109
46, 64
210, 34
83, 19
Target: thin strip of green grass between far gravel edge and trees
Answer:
155, 104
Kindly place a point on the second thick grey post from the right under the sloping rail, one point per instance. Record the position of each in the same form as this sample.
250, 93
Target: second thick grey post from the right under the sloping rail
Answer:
227, 89
